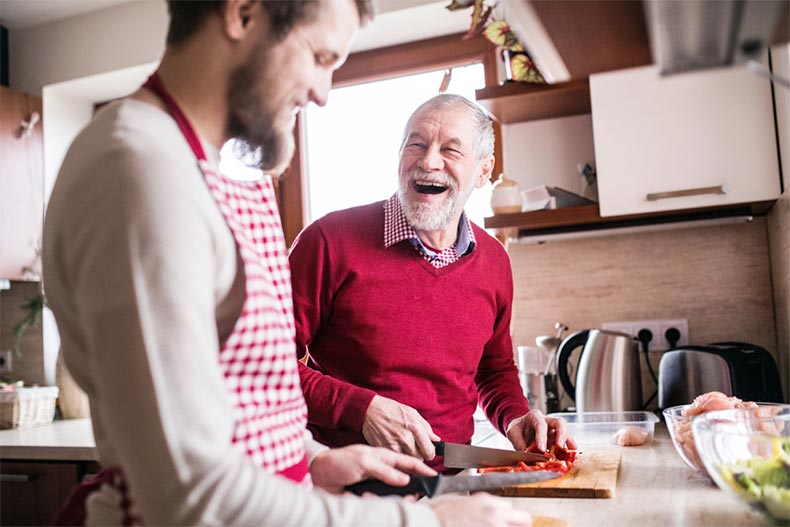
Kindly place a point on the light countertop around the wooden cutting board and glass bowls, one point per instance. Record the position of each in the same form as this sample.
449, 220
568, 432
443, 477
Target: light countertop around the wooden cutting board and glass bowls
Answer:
654, 489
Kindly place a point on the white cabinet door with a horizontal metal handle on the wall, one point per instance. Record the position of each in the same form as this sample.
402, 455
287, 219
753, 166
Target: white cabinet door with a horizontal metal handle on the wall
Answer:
681, 142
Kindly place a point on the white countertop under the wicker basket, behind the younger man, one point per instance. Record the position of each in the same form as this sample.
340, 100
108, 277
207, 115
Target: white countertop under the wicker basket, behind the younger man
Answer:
65, 440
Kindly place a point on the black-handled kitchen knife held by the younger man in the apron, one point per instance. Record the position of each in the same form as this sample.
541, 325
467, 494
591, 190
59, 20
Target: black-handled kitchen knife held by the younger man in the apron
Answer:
436, 485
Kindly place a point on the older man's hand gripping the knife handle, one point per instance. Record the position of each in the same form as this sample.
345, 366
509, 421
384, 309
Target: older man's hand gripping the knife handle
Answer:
398, 427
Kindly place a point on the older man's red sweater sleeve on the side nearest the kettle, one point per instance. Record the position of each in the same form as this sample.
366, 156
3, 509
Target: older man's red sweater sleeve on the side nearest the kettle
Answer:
497, 376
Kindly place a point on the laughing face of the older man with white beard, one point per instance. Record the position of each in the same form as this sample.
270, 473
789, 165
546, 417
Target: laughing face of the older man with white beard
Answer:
438, 168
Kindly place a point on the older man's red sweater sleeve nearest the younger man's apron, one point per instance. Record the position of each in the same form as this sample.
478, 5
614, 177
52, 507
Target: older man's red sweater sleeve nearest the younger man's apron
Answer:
331, 403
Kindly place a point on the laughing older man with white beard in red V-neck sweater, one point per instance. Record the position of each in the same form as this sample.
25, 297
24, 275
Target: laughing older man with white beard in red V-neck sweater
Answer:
403, 307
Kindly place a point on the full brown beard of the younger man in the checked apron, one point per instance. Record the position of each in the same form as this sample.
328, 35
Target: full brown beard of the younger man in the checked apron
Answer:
262, 142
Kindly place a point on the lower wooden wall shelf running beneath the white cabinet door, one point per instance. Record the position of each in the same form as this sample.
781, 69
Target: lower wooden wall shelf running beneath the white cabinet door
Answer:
587, 217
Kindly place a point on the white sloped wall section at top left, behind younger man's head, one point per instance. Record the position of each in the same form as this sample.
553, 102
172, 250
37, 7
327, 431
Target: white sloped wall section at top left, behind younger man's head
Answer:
110, 39
